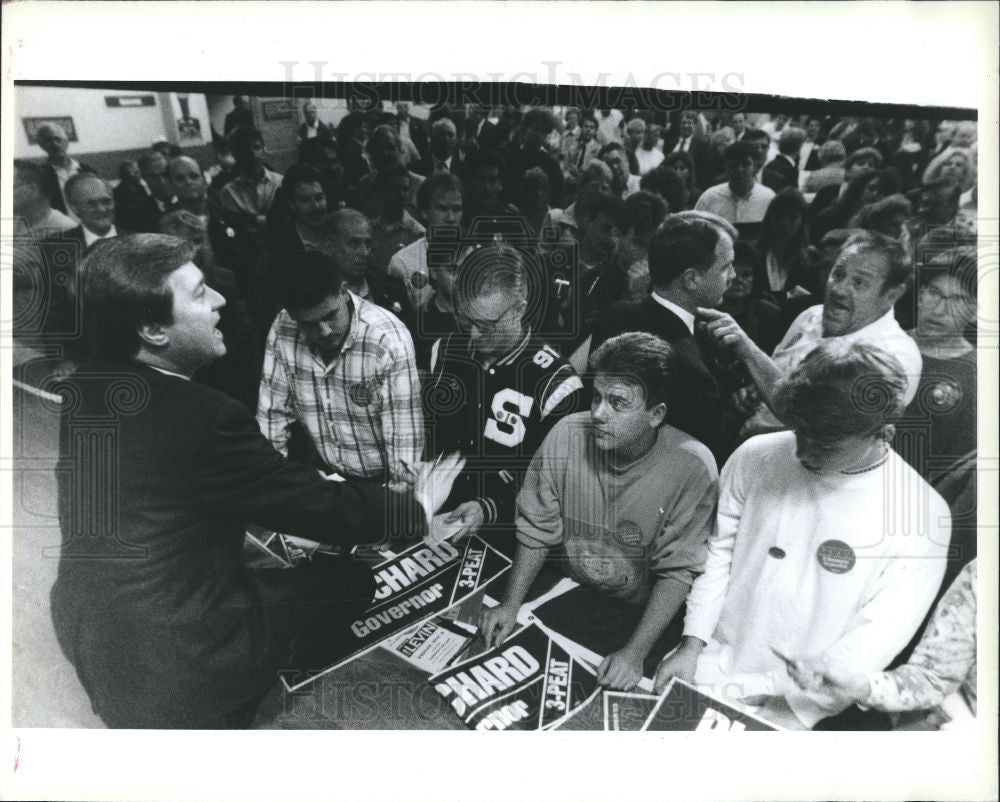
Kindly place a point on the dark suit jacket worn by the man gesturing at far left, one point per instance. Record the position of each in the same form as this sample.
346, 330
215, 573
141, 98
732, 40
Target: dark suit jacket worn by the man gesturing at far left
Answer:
152, 603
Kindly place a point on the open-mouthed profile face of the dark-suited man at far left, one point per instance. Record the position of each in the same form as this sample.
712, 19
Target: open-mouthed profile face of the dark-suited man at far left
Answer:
194, 339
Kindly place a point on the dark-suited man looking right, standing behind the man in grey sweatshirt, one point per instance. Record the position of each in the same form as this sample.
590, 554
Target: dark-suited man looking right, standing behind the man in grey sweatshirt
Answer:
691, 266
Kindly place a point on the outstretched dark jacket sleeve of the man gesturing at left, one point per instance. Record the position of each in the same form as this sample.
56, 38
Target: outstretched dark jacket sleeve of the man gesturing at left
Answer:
238, 471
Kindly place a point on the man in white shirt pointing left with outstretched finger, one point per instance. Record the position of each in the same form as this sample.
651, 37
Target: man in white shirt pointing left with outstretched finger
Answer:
870, 275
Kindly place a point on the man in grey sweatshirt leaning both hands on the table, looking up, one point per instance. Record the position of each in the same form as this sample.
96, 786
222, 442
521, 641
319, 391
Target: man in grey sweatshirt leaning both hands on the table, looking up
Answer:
628, 500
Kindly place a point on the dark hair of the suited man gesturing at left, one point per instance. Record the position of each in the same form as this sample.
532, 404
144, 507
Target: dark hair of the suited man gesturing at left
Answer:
124, 286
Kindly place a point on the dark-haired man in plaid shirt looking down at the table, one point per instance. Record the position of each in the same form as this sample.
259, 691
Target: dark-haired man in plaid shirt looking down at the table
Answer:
344, 369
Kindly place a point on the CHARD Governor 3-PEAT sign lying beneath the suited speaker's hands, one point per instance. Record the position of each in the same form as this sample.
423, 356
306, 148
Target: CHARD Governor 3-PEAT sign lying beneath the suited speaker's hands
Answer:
415, 585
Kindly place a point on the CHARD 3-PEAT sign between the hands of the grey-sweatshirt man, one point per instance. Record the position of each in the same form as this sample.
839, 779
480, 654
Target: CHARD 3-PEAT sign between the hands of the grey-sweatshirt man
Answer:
529, 682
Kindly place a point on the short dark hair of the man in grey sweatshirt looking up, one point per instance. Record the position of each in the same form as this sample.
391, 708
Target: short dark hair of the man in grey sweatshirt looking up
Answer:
640, 359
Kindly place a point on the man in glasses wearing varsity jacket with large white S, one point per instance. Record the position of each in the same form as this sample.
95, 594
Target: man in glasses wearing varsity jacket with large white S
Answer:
494, 393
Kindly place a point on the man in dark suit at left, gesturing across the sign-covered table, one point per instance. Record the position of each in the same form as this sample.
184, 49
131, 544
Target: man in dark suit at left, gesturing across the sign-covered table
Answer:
164, 624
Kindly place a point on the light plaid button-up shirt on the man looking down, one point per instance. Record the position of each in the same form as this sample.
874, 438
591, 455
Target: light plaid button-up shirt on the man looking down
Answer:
363, 410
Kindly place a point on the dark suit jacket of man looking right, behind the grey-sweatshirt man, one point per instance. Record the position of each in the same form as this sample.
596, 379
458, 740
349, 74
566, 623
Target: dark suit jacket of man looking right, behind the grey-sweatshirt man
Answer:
695, 403
